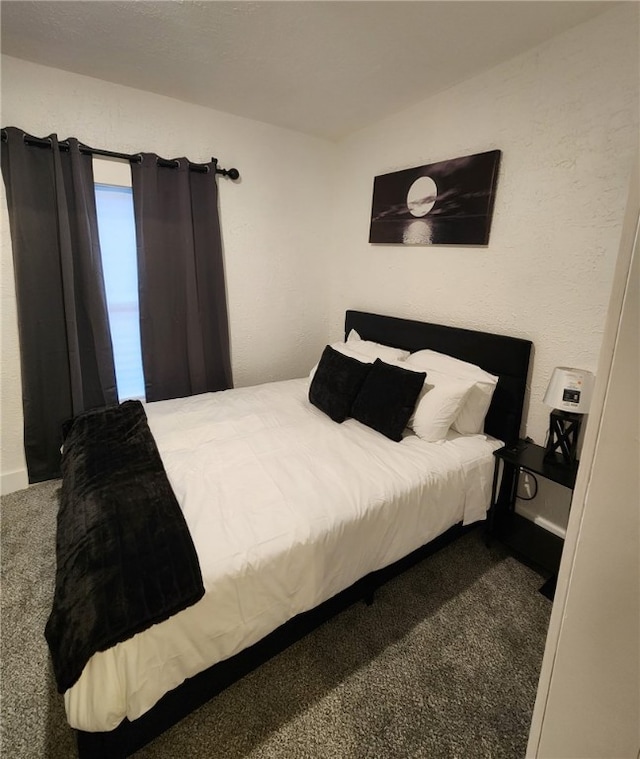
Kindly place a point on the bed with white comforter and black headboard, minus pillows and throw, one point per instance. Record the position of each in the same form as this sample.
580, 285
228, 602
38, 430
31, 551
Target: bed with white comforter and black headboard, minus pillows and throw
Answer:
283, 542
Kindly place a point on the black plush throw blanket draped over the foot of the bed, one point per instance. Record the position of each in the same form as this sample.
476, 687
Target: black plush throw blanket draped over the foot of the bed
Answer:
125, 558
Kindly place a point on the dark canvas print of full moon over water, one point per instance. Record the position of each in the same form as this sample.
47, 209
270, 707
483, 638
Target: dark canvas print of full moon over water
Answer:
445, 203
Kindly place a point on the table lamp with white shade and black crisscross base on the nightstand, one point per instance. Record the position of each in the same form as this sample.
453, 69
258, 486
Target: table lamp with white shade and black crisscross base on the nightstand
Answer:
569, 395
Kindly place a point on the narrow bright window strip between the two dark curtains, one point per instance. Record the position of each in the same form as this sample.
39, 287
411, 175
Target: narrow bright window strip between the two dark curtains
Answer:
116, 229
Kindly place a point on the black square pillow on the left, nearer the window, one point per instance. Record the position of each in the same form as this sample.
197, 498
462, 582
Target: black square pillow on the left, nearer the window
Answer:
336, 383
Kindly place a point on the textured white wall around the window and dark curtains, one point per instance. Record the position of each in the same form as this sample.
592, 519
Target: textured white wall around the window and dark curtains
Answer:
274, 220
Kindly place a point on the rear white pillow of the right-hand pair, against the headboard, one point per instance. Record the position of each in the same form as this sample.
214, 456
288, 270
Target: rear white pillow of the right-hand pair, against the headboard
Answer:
470, 419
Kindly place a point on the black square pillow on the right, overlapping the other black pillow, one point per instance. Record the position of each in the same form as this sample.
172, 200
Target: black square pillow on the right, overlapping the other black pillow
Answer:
387, 398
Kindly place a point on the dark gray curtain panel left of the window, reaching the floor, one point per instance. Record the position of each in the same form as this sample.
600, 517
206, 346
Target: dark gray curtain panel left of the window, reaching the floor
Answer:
65, 342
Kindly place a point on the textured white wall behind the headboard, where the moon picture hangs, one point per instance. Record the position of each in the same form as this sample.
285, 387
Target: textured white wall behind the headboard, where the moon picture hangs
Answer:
565, 116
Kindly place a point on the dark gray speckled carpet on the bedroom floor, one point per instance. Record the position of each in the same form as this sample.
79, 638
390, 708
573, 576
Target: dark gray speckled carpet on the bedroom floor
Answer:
444, 664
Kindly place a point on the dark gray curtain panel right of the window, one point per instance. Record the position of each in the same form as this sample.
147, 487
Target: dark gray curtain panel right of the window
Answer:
183, 307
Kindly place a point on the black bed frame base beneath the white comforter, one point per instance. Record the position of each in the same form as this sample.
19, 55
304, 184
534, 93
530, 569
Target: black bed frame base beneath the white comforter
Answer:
129, 736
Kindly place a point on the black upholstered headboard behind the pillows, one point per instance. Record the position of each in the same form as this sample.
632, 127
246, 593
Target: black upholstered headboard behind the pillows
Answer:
506, 357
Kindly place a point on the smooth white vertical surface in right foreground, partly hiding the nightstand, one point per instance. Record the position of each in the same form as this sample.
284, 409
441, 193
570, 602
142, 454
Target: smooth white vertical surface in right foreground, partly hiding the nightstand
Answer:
588, 703
